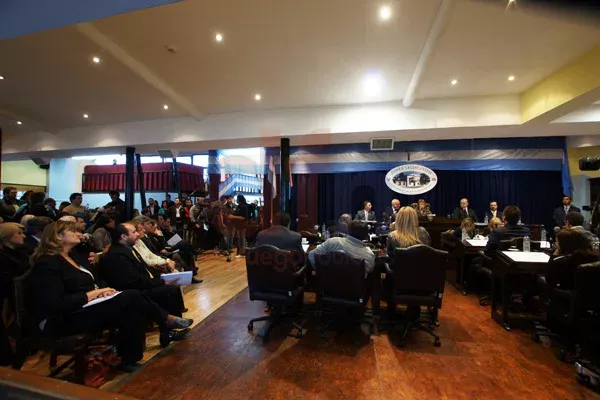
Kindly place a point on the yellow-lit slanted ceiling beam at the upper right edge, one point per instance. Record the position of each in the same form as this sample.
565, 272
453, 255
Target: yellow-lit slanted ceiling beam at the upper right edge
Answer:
572, 87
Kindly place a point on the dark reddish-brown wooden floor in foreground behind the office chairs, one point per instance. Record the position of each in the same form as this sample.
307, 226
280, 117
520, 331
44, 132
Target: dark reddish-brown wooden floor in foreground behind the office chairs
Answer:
477, 360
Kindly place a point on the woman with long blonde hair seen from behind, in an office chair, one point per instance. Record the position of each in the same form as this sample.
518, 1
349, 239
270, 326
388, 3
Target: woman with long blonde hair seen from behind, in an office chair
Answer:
407, 231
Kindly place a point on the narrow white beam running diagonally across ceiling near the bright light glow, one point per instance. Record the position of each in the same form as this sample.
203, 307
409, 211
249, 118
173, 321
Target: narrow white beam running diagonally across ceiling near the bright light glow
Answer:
436, 29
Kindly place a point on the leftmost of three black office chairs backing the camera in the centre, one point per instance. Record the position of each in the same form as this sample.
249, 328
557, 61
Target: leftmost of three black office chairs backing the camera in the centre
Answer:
273, 278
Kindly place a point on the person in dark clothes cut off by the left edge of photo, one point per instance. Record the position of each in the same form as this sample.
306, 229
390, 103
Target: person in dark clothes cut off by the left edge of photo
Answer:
14, 262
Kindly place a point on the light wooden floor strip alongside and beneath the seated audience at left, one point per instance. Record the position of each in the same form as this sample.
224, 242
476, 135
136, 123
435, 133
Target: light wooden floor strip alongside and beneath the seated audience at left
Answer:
222, 281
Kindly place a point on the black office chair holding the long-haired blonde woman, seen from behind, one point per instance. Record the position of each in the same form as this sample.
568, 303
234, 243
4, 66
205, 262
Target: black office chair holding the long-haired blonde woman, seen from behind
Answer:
418, 274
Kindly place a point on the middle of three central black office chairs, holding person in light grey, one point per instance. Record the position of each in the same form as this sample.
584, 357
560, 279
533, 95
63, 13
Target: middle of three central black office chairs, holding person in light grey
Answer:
341, 288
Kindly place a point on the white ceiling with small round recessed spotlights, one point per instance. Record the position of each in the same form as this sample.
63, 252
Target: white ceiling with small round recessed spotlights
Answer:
297, 54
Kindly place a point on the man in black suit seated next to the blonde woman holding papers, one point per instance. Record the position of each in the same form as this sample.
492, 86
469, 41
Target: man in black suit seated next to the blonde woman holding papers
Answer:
122, 268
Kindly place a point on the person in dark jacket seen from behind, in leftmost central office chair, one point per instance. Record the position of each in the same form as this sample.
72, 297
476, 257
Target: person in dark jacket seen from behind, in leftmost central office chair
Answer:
280, 236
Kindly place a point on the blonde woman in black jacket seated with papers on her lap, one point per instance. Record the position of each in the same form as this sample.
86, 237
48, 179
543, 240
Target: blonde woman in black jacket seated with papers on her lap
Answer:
62, 288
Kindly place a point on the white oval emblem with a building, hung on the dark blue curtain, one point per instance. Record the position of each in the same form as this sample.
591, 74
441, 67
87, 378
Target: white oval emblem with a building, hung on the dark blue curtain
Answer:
411, 179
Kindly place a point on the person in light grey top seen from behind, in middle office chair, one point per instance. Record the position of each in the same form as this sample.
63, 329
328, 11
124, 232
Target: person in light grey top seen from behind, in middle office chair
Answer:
350, 244
